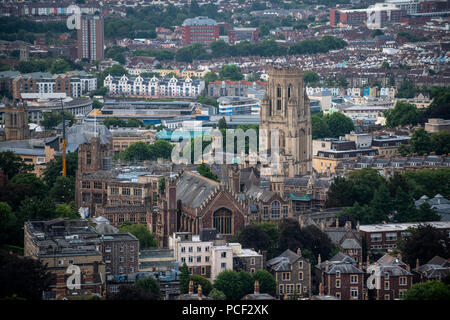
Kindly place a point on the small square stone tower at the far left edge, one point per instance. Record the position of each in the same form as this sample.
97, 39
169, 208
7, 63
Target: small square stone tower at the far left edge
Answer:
16, 122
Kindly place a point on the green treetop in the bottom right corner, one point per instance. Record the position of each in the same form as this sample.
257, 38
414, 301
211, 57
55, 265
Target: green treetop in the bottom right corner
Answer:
430, 290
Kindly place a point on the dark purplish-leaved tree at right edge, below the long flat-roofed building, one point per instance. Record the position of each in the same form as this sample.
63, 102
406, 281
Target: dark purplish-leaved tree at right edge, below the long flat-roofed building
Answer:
424, 243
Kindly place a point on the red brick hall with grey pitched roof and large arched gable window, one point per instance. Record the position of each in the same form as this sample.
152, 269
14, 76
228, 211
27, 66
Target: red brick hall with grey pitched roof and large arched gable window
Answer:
191, 202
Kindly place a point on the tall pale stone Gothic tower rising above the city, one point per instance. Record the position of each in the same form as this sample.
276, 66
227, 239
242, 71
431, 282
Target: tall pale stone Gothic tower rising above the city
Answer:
285, 108
